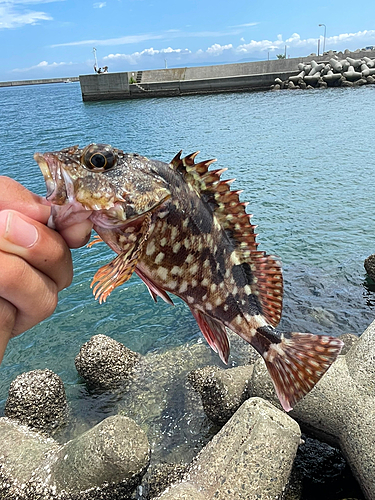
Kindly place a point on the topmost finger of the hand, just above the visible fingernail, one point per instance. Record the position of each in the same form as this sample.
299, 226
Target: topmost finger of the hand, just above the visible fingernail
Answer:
14, 196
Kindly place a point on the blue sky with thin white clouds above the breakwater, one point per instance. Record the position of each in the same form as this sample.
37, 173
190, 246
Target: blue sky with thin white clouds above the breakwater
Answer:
55, 38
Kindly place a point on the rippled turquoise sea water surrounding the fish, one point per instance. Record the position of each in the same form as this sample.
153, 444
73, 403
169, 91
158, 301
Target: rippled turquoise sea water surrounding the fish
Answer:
305, 161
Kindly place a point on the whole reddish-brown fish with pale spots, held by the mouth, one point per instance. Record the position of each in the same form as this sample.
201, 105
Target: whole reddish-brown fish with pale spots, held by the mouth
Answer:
184, 231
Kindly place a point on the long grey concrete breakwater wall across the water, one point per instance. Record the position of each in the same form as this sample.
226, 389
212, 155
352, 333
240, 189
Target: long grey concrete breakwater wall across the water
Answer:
238, 77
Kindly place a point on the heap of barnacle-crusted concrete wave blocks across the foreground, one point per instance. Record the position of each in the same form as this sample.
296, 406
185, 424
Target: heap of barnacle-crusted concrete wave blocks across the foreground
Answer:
252, 456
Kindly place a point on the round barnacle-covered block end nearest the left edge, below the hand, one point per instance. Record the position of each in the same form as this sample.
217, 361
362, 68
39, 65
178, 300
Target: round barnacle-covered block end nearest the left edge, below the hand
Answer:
37, 399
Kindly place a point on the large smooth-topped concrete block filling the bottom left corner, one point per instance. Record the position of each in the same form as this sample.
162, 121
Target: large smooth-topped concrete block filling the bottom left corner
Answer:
106, 462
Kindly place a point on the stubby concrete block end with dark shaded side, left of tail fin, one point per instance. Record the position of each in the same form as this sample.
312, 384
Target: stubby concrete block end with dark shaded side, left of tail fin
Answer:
222, 391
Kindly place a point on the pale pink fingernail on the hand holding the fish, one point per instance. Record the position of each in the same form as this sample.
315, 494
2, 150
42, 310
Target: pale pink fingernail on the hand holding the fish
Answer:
16, 230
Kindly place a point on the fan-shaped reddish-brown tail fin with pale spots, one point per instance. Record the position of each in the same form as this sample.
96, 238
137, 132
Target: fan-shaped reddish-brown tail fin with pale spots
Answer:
297, 363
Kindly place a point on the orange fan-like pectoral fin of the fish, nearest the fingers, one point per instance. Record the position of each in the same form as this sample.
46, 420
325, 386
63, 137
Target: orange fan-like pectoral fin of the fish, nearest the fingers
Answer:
120, 269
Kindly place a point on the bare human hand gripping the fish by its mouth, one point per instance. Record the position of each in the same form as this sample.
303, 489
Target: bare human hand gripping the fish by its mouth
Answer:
35, 261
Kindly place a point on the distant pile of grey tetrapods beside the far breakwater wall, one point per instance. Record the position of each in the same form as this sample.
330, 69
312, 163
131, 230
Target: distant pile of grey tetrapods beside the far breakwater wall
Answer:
337, 72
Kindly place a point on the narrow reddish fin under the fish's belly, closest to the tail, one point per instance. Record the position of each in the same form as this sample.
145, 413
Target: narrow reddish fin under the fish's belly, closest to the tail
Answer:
214, 332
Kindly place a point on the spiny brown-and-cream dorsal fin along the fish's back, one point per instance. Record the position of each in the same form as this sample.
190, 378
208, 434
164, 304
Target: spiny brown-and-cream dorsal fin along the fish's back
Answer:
266, 280
